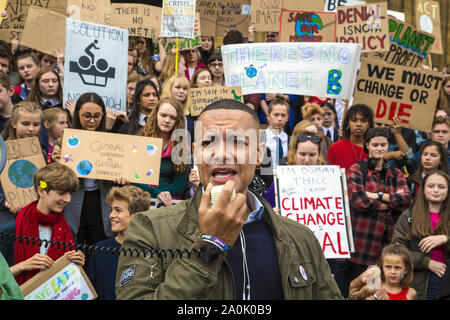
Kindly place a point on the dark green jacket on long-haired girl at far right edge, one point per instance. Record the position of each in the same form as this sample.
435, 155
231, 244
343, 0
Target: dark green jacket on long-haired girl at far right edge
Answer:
420, 260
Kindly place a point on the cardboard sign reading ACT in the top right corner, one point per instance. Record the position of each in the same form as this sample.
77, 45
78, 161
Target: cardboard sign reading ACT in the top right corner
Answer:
428, 19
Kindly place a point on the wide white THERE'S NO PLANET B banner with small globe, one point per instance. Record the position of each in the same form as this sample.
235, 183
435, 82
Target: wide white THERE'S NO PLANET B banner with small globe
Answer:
309, 68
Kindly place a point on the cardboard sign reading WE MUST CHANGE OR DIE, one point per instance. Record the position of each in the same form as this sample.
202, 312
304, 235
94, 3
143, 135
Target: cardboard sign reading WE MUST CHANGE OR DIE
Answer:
392, 91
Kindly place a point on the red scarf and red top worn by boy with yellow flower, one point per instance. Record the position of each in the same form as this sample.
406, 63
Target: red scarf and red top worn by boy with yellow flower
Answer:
27, 224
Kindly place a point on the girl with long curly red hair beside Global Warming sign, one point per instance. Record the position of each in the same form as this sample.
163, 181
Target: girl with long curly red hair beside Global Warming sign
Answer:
165, 118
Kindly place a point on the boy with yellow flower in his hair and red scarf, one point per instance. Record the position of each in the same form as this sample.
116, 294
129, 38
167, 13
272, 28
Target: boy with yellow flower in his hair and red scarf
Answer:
44, 219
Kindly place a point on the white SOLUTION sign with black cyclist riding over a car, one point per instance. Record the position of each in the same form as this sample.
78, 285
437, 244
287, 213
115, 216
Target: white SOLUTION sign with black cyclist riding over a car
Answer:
96, 61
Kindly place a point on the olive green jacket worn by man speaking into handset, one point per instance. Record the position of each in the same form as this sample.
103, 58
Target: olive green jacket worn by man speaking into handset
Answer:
186, 278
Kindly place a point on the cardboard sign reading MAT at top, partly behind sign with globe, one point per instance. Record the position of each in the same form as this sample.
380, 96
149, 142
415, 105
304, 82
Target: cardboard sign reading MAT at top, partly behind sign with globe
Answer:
266, 13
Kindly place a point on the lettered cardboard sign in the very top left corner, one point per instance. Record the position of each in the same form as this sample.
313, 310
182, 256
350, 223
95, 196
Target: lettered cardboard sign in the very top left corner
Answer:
17, 11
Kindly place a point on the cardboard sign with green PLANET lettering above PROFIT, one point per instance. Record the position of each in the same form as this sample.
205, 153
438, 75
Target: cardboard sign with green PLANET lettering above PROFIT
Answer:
408, 47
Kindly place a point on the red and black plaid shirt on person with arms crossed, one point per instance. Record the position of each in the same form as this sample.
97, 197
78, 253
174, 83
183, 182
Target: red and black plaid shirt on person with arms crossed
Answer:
368, 220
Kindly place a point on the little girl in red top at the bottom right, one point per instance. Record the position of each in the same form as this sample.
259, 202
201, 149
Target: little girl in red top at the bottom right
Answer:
397, 273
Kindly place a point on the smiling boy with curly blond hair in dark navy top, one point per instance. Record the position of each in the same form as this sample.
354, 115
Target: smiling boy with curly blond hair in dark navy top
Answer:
124, 203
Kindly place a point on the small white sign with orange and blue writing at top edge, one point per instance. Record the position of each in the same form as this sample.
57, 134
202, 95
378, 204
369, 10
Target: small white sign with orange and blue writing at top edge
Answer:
178, 19
